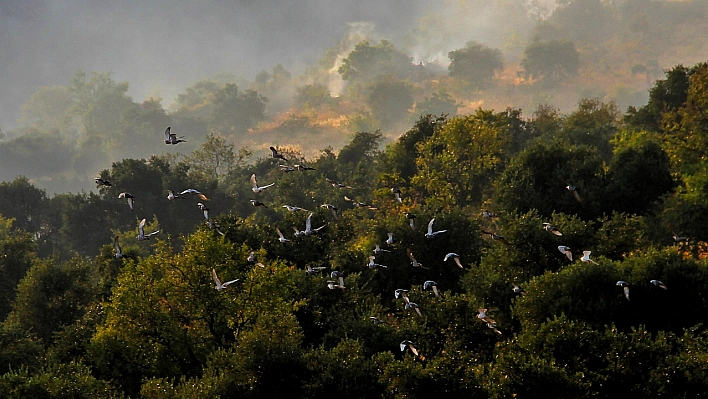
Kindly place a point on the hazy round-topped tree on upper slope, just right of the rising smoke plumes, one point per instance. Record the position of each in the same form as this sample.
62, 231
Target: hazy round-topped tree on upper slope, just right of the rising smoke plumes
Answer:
475, 64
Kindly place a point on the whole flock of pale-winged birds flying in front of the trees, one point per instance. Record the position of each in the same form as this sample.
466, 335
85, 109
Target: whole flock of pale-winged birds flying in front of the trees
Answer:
337, 277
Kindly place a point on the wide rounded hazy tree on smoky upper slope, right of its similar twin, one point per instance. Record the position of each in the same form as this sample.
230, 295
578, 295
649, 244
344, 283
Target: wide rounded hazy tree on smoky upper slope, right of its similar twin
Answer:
552, 61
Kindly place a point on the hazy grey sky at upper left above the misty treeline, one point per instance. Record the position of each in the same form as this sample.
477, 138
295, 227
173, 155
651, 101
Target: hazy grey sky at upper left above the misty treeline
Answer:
162, 46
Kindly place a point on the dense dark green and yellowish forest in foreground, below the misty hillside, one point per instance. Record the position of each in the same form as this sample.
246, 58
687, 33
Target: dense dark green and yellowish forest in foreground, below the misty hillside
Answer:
581, 241
